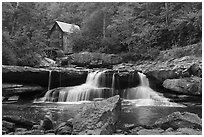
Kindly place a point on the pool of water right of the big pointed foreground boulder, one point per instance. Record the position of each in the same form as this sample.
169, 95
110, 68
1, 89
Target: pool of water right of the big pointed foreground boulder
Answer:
140, 113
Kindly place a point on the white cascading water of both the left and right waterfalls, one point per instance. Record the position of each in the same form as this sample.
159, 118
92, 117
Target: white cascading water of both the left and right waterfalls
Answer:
95, 87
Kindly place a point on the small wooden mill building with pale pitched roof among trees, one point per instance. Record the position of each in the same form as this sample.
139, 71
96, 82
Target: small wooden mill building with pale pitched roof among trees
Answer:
60, 35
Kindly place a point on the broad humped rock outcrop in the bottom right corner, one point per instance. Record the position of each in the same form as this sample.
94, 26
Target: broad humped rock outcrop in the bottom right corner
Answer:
177, 123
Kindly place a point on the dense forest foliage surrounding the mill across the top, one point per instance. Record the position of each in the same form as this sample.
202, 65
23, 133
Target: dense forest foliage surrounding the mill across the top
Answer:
135, 31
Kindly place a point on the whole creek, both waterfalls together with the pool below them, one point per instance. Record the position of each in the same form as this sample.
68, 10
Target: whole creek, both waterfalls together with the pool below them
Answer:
140, 103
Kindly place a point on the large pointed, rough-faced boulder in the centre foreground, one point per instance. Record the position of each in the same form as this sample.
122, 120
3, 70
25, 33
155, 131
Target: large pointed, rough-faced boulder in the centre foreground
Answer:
98, 118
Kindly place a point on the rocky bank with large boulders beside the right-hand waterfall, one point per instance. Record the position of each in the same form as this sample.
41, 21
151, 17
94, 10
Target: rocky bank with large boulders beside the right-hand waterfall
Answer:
182, 75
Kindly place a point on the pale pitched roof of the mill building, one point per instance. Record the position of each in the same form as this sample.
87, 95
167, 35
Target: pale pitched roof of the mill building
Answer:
67, 28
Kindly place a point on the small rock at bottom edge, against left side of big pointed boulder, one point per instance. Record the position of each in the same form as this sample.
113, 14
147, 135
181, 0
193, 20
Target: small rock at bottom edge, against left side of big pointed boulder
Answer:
65, 128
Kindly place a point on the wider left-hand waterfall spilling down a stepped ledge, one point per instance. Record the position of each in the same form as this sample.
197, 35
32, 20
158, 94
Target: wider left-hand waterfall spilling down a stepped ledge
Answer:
94, 87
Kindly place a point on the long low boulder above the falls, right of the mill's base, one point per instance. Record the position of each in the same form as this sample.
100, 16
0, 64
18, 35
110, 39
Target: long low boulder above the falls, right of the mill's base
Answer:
92, 60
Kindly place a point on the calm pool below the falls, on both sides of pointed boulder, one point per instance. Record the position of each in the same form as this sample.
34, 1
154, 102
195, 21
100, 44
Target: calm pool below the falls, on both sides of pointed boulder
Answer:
144, 112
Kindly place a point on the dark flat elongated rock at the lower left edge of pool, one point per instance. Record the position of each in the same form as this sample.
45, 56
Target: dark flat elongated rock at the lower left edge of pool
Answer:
19, 122
